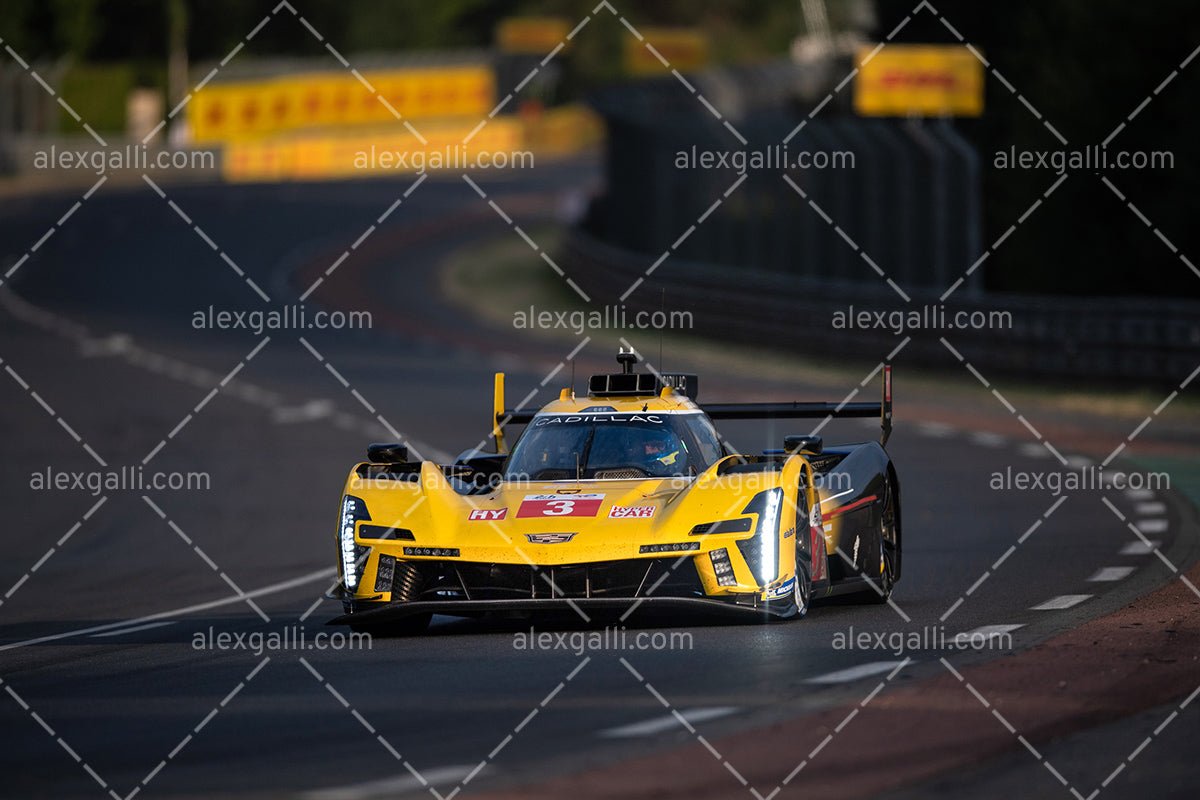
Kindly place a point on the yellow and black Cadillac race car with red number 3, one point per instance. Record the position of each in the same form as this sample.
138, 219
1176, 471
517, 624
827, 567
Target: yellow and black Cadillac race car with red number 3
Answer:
625, 498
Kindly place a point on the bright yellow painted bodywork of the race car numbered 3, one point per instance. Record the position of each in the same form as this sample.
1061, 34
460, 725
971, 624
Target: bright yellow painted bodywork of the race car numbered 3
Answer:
553, 524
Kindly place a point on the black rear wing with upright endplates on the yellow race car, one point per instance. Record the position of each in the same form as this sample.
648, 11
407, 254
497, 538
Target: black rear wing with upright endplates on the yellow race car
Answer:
817, 411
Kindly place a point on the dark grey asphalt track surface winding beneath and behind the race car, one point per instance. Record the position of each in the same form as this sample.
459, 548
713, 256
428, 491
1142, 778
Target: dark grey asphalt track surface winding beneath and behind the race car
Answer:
105, 693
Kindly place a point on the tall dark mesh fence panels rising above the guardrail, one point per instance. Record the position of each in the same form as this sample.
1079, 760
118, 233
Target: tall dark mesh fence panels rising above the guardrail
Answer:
904, 193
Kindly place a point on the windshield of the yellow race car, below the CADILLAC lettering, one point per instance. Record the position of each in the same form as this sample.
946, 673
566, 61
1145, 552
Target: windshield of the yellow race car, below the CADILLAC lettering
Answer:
565, 447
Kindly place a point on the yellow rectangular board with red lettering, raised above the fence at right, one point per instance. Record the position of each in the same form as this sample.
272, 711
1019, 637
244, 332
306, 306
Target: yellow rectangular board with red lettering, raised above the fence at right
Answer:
919, 80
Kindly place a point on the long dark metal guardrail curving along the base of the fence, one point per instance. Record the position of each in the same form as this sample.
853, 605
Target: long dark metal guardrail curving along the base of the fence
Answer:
1149, 341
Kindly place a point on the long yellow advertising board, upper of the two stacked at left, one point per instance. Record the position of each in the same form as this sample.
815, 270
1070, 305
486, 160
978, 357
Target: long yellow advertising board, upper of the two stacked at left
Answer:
236, 111
